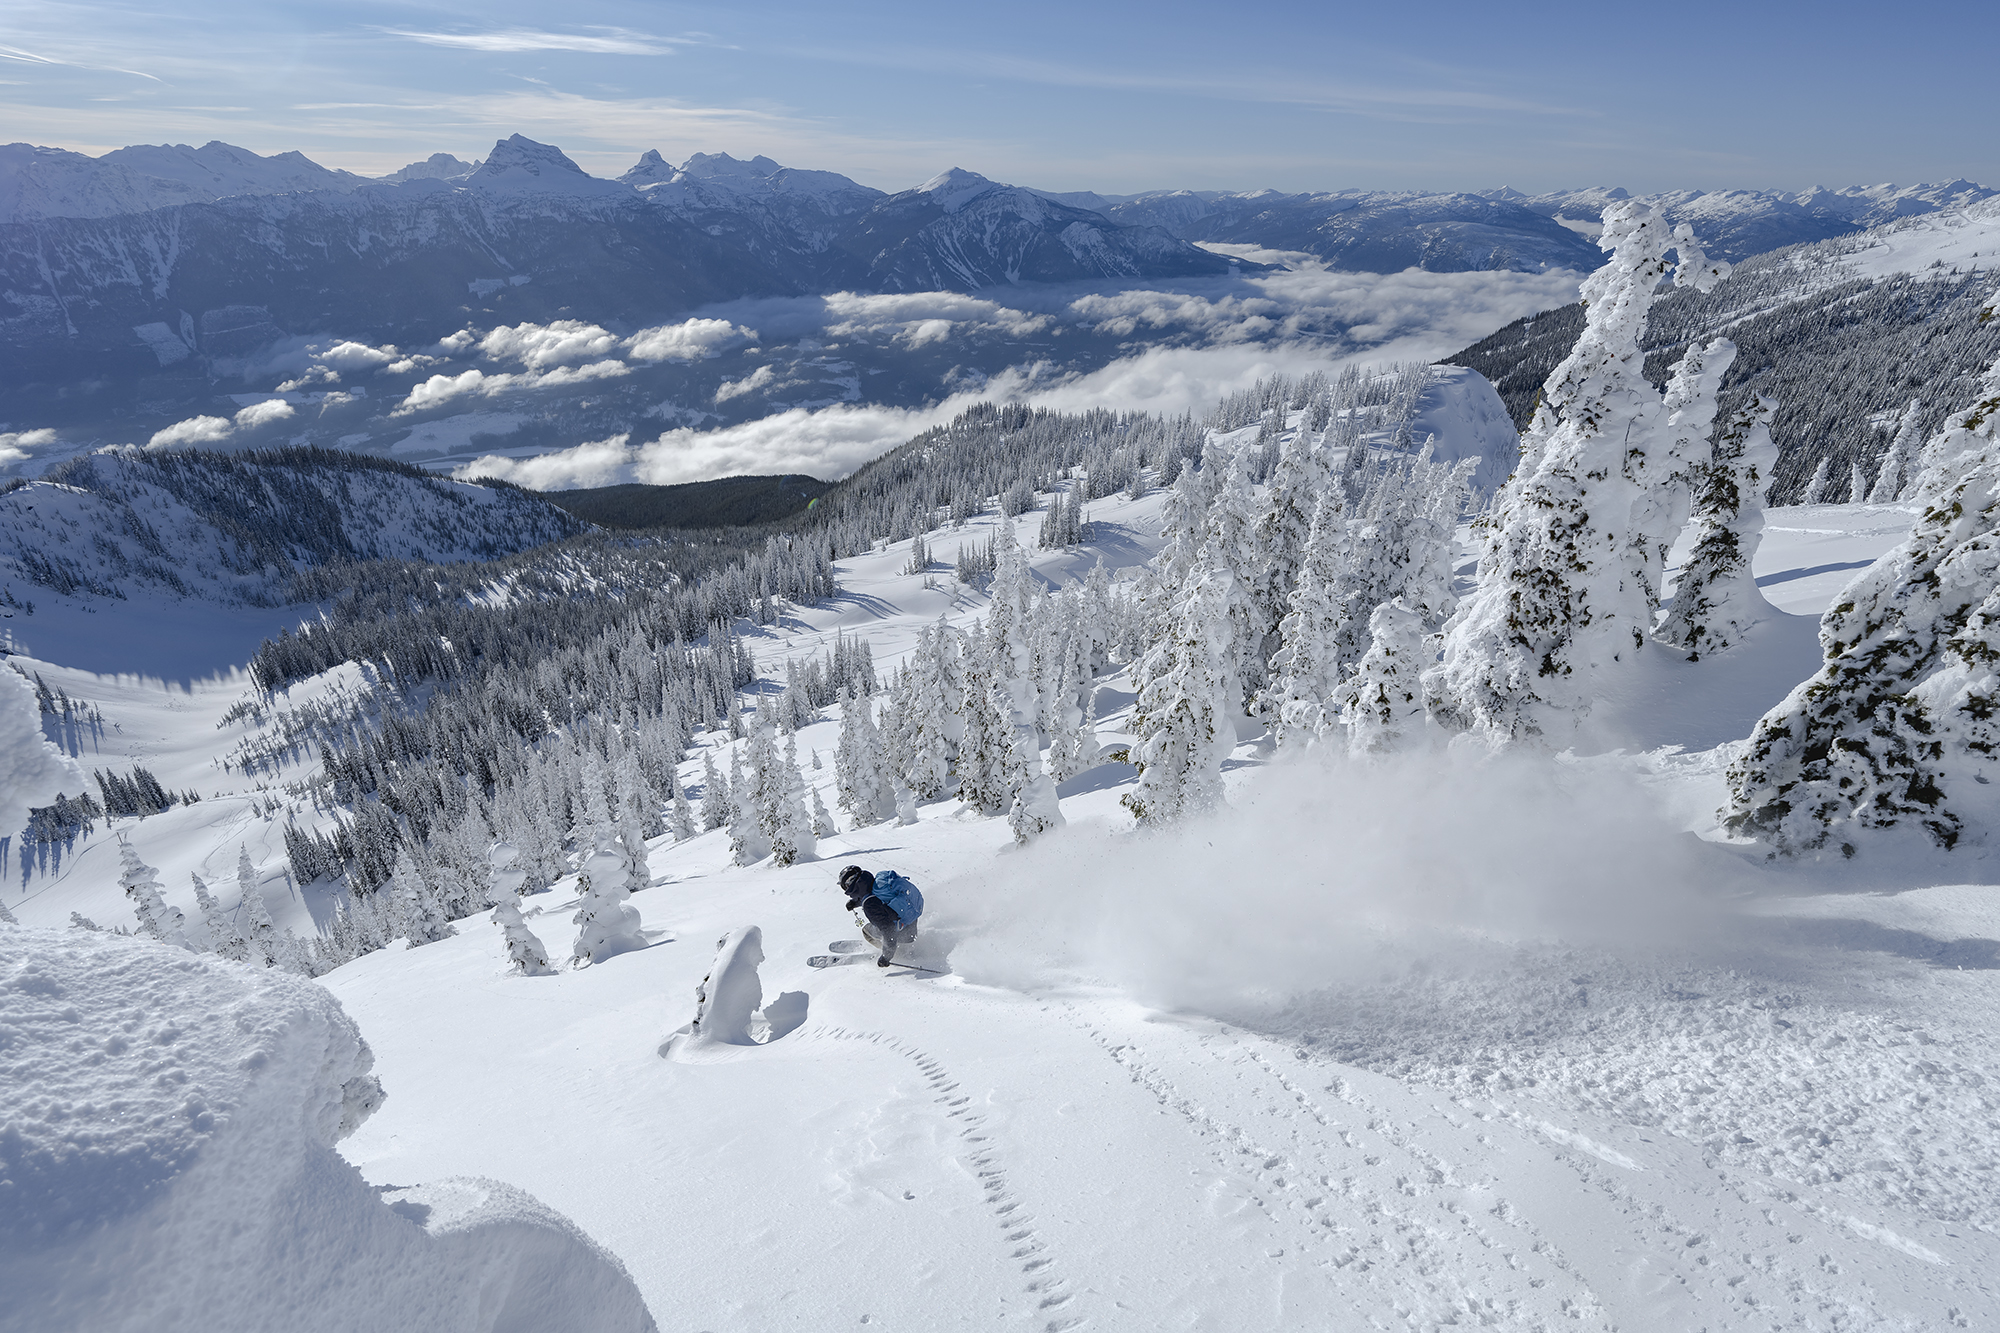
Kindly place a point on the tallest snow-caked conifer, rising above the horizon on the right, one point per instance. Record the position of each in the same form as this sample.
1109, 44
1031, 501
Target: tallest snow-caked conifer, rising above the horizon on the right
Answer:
1565, 589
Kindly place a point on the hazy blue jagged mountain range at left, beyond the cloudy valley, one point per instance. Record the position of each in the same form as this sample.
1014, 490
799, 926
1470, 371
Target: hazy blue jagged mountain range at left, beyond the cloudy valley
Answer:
231, 251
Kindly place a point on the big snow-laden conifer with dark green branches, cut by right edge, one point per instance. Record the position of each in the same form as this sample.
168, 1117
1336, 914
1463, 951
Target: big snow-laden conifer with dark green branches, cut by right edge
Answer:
1899, 726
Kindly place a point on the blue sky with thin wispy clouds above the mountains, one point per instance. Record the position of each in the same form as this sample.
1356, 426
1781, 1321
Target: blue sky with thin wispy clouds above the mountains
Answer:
1107, 97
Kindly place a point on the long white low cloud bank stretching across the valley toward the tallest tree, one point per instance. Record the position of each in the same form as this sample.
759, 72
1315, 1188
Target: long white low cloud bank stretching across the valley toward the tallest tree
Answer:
1237, 331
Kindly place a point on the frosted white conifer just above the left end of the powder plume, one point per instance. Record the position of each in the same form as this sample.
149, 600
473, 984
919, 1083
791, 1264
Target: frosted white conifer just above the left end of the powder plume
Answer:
1185, 712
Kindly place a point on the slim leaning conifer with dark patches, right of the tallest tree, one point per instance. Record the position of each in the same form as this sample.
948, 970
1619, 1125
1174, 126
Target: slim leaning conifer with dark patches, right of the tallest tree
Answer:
1717, 597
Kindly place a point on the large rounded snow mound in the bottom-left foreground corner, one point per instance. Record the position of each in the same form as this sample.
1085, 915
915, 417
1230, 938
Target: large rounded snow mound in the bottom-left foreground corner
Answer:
169, 1164
